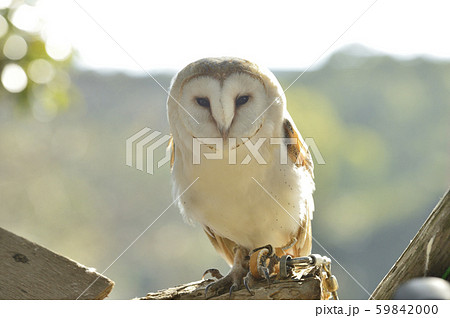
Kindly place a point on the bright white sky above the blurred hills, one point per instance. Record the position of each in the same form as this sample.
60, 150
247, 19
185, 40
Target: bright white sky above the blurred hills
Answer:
157, 35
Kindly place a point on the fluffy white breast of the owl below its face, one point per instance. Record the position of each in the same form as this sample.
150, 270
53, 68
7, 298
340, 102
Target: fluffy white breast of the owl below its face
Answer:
251, 204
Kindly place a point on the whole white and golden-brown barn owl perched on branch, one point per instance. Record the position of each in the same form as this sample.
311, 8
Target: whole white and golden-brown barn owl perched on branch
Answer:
242, 203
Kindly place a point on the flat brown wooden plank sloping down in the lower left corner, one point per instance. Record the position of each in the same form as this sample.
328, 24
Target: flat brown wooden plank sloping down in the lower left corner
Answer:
30, 271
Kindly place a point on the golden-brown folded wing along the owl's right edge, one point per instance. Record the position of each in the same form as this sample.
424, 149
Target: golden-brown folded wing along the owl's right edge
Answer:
299, 154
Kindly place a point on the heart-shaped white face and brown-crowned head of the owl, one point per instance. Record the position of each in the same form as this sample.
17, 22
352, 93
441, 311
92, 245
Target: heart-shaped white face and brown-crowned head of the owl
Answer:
225, 97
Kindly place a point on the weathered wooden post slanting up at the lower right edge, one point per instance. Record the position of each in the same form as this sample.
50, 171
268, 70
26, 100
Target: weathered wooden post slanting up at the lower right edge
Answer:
426, 255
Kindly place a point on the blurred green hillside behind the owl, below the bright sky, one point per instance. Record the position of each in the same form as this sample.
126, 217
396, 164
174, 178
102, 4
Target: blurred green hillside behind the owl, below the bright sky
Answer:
381, 125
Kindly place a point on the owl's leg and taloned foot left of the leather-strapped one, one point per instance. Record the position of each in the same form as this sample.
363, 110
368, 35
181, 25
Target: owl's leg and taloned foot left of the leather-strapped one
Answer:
234, 279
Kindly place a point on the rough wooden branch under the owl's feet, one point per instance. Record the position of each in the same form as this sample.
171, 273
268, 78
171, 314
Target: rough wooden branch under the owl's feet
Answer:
308, 288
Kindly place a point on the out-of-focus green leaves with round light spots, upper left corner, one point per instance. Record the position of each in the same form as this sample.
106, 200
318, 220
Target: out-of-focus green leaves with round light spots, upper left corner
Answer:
33, 63
